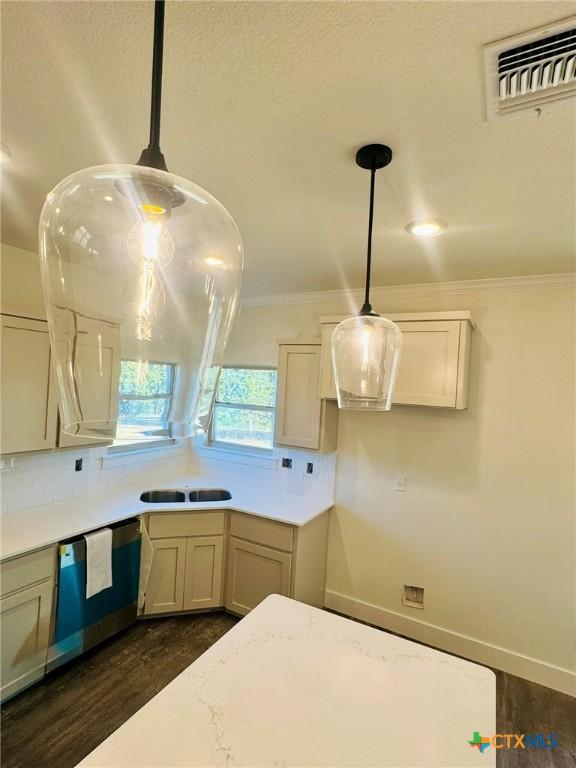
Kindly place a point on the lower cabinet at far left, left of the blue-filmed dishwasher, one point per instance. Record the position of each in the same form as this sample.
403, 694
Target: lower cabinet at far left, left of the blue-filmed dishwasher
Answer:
25, 616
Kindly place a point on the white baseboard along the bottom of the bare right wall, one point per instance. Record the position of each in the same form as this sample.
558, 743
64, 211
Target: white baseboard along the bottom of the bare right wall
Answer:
537, 671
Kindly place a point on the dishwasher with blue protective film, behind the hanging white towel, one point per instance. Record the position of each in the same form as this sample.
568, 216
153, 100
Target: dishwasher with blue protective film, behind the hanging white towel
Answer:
80, 623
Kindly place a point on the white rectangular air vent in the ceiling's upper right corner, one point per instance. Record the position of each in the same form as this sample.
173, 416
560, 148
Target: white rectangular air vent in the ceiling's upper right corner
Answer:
532, 70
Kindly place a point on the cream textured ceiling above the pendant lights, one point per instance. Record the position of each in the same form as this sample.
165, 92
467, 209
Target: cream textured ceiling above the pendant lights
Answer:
265, 104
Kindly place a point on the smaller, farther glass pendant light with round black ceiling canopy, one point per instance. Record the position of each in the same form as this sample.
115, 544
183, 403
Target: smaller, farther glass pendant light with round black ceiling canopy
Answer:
366, 348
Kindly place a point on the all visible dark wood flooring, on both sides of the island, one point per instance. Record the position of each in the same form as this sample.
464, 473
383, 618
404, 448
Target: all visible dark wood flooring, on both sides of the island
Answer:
59, 721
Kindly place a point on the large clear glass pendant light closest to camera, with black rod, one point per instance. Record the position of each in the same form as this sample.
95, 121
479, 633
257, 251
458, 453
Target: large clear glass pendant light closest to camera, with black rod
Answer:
139, 264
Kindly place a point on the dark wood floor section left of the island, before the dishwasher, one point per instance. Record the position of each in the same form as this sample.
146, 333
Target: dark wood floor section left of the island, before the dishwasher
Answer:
59, 721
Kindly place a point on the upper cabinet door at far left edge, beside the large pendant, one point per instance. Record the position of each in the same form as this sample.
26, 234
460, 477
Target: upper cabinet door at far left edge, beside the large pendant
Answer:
28, 409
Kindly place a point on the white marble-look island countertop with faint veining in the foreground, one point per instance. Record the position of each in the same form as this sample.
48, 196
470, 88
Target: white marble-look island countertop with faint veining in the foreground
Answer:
295, 686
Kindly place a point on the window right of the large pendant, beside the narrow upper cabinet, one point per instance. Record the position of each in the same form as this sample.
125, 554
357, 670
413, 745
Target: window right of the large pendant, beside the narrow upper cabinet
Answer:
244, 408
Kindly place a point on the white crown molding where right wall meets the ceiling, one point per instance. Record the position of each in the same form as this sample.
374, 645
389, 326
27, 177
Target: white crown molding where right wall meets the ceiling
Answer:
452, 288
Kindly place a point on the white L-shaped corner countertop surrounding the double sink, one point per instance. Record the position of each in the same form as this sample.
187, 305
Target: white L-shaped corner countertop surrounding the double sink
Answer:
29, 529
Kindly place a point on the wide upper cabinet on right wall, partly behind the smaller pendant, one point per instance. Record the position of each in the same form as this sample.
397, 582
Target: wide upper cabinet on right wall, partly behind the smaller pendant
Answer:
434, 362
